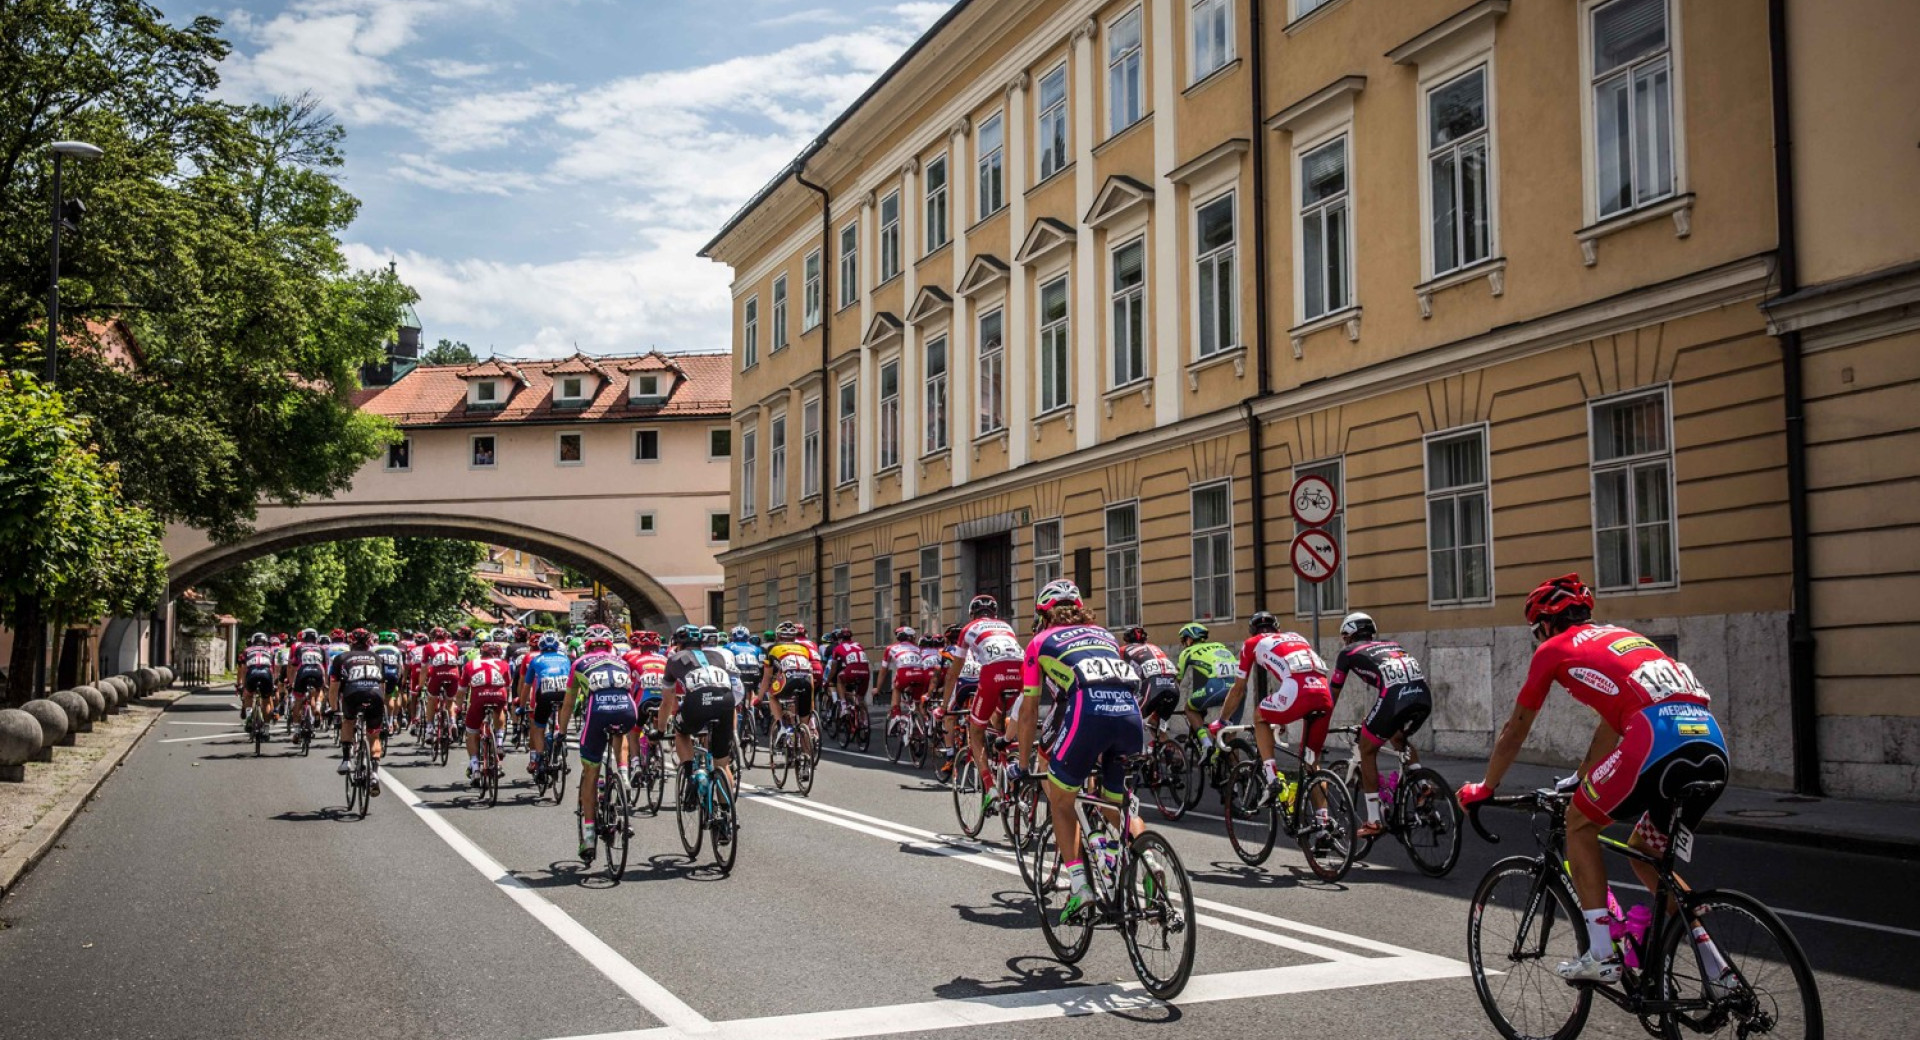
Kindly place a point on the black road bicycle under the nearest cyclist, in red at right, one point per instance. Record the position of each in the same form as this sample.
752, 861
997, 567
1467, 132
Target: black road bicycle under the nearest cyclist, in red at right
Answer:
1525, 918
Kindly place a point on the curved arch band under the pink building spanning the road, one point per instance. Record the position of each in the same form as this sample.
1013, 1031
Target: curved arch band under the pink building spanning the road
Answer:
648, 600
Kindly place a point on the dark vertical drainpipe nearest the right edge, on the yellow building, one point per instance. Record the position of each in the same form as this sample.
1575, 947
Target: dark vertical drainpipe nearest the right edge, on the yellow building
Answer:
1802, 682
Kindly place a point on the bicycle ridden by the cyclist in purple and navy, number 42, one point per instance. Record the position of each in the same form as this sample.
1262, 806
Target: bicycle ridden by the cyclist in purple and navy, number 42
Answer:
1140, 887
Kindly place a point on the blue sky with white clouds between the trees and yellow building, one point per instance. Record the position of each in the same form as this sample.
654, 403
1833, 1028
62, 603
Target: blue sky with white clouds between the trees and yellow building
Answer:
546, 170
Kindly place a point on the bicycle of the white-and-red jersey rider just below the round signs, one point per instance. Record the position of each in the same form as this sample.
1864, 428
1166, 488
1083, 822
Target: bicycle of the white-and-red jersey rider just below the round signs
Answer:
1308, 803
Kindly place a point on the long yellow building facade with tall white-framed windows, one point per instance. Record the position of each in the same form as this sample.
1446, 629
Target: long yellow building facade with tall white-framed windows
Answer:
1082, 289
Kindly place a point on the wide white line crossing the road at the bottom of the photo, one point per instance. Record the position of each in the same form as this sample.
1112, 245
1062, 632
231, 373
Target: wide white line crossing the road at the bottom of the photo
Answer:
1063, 1005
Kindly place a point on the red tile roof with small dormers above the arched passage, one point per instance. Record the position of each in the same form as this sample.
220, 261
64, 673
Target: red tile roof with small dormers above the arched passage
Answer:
437, 396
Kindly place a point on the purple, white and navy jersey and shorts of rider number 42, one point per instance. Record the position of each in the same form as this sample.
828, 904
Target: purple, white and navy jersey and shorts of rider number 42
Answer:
1093, 688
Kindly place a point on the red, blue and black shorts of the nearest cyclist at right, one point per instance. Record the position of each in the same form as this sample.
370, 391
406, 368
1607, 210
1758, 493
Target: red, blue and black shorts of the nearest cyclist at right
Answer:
1666, 747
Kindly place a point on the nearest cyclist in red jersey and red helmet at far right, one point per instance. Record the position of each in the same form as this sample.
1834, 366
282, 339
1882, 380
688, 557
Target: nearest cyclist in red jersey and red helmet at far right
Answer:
1654, 738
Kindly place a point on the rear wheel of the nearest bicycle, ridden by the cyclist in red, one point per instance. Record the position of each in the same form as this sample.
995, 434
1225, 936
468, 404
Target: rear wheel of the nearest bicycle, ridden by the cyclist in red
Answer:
1769, 989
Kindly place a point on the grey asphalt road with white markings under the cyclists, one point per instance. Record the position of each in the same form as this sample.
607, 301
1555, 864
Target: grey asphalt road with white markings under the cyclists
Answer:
210, 895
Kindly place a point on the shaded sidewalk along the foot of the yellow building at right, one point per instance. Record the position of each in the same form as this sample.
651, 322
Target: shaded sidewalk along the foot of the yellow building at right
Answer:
1748, 813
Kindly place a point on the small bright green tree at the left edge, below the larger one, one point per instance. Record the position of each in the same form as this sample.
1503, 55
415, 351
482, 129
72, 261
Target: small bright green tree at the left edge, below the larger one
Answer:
70, 544
